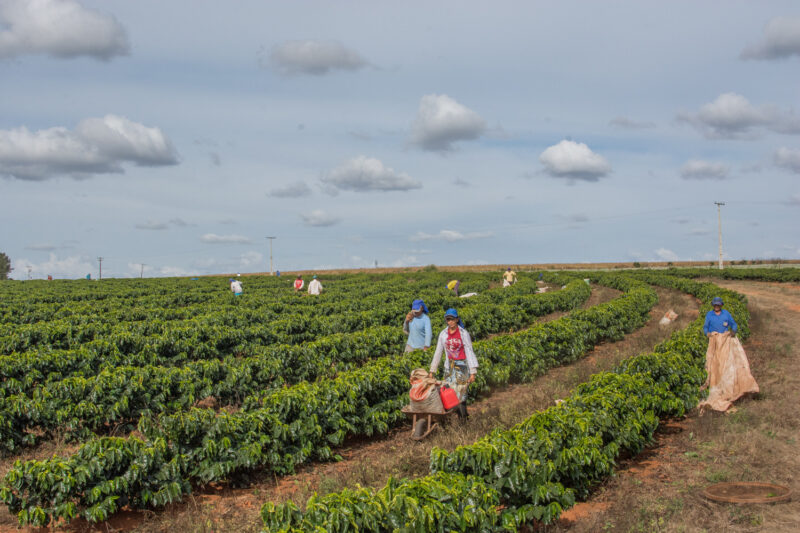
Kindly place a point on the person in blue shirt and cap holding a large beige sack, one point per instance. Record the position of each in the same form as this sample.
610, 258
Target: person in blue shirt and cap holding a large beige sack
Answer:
728, 371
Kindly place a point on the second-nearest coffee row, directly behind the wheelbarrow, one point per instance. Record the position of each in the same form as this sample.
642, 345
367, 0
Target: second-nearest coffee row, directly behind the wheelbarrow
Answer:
277, 431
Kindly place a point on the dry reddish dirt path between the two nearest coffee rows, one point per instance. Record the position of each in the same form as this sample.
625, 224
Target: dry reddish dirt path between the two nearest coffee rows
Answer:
221, 508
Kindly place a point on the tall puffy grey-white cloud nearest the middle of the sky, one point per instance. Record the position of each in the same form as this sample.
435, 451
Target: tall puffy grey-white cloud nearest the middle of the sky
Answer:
441, 121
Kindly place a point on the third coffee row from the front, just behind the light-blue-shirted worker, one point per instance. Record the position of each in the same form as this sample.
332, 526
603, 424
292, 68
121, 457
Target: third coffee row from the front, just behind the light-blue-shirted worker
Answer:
118, 395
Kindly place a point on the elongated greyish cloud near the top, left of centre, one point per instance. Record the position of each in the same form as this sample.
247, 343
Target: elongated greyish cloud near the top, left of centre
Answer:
314, 57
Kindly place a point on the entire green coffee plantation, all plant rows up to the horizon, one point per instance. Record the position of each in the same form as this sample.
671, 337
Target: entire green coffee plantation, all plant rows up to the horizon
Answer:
153, 389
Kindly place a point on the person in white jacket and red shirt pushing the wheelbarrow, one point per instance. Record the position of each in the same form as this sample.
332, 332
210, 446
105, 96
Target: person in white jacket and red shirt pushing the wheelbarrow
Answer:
461, 365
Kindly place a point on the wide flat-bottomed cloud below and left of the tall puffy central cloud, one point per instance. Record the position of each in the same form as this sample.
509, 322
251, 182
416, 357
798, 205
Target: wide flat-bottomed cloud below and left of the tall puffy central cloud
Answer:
367, 174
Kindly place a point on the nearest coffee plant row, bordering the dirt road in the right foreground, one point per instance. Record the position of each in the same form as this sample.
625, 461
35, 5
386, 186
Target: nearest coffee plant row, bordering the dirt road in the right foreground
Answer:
537, 468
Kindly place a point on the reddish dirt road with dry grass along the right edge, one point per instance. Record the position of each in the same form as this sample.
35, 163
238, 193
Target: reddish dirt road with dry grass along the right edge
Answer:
660, 490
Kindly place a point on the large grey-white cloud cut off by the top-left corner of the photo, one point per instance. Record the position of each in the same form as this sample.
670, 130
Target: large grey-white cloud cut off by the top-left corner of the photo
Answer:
60, 28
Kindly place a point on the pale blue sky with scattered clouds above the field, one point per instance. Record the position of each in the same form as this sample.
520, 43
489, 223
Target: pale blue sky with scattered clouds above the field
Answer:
180, 134
